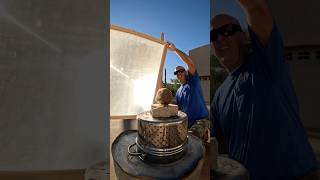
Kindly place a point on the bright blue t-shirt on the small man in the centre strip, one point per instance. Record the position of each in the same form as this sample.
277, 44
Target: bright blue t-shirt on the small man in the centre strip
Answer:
190, 99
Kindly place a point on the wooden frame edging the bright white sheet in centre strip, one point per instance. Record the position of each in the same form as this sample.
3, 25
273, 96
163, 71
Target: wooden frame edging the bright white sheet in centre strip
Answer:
163, 57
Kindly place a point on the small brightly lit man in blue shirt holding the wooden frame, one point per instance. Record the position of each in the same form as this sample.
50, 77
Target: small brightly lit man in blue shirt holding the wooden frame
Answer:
189, 96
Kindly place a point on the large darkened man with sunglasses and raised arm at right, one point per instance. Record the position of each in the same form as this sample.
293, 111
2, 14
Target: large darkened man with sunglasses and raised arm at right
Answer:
255, 111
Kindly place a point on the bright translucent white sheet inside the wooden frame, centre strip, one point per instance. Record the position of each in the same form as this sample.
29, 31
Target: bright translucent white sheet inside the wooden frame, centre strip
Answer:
134, 68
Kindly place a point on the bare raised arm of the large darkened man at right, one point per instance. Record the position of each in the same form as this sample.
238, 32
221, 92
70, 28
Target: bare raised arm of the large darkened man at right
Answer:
259, 18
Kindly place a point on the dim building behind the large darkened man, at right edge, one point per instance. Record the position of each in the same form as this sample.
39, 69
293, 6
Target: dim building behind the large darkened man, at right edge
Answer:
299, 25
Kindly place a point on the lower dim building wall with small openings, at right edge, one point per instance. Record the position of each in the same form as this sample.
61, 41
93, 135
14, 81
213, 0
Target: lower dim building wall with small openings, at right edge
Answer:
305, 75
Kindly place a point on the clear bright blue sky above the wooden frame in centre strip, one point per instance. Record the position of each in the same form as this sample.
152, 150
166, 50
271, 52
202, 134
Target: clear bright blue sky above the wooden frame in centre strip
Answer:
186, 23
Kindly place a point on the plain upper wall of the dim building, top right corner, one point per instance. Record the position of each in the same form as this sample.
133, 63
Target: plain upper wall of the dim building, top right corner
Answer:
297, 20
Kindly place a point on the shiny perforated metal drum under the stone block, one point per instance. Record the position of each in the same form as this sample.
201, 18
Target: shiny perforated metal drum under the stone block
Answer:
161, 139
